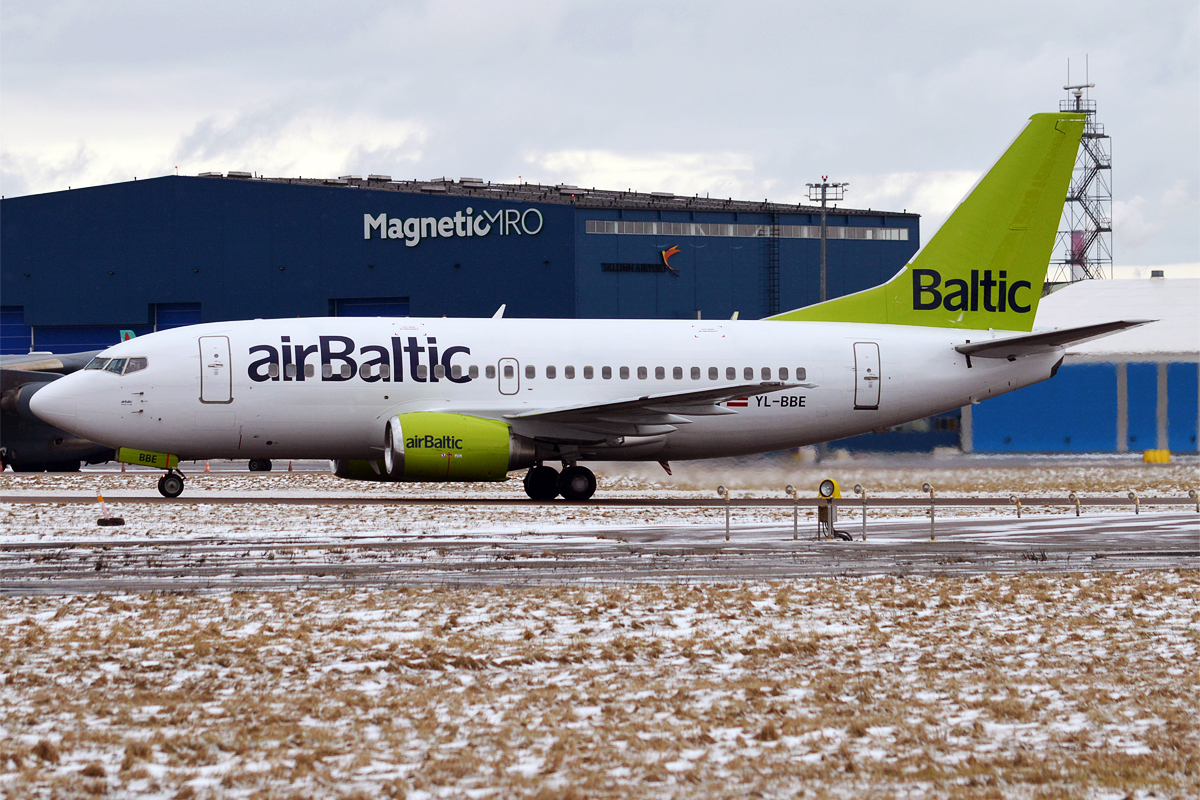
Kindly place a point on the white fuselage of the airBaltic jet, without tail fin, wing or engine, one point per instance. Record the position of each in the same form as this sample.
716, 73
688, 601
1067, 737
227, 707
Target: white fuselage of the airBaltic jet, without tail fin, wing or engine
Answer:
217, 390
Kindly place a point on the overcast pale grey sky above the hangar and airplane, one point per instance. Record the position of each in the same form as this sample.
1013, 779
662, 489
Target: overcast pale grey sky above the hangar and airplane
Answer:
908, 103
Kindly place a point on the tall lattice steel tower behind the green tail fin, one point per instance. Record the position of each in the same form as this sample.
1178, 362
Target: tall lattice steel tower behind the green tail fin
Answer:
1084, 248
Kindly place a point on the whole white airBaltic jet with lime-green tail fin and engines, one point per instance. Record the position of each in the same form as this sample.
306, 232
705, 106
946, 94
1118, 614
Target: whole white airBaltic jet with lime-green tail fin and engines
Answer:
475, 400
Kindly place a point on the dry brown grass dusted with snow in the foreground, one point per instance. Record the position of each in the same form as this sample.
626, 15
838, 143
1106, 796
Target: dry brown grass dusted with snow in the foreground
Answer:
989, 687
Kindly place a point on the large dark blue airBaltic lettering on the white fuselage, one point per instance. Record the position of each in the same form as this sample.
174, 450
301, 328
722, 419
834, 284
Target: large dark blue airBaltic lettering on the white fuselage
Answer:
343, 360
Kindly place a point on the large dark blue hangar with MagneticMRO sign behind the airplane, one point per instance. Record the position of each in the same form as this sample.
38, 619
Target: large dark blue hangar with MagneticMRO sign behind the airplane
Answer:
79, 267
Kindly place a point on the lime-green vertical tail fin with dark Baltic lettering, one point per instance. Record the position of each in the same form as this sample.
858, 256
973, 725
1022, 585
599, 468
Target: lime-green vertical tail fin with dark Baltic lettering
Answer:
986, 267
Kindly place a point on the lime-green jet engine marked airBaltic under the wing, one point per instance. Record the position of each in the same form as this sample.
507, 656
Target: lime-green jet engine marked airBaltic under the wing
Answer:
436, 447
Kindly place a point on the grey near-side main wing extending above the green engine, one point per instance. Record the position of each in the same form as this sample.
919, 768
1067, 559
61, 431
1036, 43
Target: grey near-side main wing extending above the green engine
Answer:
650, 414
